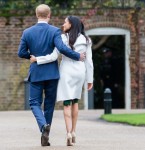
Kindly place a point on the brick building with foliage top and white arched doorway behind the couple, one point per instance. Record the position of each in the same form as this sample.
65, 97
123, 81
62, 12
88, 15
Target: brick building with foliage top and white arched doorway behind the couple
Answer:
118, 25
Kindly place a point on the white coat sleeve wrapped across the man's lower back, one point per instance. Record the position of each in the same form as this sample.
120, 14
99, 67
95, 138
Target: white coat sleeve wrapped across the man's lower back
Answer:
48, 58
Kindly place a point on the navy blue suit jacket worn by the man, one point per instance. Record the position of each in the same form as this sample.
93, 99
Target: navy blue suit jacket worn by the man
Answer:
40, 40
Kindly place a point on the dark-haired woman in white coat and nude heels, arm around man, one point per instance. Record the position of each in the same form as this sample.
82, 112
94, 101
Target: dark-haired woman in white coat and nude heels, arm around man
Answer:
72, 73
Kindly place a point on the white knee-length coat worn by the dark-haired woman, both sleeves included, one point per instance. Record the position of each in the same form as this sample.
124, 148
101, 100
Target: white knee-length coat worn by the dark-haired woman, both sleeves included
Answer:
72, 73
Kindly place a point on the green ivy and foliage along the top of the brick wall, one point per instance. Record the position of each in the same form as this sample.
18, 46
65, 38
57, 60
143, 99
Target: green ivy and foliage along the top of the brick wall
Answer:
61, 7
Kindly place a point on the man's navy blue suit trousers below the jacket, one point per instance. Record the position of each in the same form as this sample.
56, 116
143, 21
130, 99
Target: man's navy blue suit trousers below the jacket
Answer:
37, 90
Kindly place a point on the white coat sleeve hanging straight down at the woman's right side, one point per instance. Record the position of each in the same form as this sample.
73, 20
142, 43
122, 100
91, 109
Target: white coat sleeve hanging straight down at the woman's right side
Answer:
89, 63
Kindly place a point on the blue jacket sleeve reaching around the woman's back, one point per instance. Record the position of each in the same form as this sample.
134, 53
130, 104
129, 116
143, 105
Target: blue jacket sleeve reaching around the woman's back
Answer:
62, 48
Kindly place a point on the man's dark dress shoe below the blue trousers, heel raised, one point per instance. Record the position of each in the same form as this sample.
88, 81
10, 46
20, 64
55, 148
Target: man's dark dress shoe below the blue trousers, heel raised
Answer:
45, 135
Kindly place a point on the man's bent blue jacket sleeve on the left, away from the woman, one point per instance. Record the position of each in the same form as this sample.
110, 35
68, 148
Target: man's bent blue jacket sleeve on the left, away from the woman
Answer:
23, 48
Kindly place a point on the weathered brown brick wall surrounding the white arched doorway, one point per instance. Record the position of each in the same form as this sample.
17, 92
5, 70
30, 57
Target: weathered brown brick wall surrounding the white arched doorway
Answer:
13, 70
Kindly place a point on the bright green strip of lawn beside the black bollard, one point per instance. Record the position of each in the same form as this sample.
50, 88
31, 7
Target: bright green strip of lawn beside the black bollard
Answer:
131, 119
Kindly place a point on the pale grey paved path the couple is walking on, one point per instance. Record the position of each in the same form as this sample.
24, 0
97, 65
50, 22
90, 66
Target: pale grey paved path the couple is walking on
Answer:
19, 131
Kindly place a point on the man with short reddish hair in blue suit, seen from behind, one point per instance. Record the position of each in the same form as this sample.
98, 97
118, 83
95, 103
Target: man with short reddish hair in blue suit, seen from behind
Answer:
40, 40
